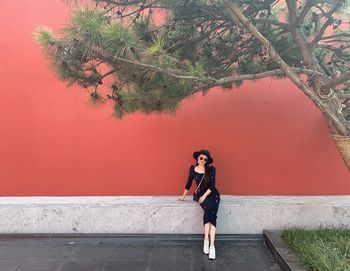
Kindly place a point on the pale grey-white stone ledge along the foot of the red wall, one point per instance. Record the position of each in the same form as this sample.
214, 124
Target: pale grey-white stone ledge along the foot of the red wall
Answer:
164, 214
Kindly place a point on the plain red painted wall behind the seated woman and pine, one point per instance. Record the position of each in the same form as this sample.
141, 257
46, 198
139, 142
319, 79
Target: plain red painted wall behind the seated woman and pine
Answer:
266, 138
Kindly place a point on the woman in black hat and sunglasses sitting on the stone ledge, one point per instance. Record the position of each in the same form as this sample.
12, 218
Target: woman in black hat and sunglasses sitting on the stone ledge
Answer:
209, 196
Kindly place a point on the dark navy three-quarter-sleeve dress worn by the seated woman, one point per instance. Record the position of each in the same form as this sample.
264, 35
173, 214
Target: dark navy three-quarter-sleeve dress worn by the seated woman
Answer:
211, 203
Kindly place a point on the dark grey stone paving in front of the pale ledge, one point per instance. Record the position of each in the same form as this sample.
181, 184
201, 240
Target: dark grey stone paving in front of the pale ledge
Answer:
110, 253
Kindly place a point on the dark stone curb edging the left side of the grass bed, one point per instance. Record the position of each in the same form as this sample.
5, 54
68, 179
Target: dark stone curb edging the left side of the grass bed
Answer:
283, 255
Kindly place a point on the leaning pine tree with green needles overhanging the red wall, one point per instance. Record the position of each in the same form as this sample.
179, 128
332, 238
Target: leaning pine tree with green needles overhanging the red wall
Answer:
151, 67
